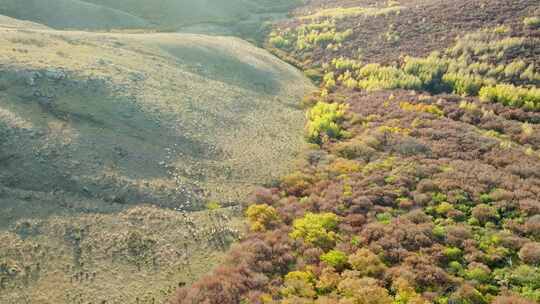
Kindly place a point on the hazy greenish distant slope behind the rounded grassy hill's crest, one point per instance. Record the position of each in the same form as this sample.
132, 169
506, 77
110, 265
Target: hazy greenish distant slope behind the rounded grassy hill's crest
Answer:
240, 16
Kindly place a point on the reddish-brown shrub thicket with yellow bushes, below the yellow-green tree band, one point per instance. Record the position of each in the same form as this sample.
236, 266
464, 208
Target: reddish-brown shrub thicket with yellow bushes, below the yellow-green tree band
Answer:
428, 200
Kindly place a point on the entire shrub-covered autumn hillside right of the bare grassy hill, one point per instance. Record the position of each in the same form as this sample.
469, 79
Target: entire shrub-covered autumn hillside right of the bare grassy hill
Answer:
422, 182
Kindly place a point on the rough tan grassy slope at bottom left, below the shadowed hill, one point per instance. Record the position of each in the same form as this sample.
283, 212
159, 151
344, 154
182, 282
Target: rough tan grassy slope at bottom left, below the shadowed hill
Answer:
139, 255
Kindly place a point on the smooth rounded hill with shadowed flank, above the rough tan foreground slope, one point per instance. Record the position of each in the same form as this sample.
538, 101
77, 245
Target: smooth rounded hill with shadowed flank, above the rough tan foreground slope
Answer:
193, 112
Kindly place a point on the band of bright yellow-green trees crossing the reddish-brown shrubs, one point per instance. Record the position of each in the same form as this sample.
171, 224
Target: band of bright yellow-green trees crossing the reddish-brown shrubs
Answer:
467, 69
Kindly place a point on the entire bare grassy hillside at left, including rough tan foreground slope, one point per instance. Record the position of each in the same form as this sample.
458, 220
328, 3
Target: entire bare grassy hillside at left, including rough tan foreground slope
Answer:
93, 126
